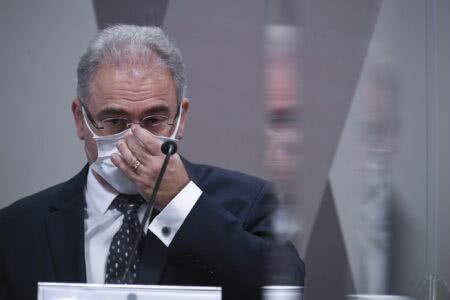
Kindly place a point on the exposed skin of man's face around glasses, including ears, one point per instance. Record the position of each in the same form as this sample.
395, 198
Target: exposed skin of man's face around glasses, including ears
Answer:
130, 91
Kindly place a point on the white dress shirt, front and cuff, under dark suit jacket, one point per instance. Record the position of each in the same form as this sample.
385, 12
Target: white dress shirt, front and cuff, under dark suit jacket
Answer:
101, 223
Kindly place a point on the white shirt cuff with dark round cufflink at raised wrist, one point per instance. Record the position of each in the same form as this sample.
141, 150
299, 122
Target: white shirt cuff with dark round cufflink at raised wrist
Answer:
167, 223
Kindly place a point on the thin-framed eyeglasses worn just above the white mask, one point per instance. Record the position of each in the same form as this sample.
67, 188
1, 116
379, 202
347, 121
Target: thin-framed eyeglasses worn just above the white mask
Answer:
156, 124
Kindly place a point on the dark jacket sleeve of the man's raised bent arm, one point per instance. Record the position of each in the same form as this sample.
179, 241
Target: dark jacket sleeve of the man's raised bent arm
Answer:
237, 246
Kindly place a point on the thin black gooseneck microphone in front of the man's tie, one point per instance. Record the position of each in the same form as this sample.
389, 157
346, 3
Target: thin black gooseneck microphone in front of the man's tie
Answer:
169, 147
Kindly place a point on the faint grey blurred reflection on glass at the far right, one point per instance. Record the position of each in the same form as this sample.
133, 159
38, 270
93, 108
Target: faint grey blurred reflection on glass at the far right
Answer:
377, 131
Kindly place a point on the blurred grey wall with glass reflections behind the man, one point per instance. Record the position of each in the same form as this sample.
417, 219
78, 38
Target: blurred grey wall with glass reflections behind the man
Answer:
344, 104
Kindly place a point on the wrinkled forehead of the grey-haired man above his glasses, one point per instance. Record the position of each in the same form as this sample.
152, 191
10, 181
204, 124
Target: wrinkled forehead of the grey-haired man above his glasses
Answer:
129, 84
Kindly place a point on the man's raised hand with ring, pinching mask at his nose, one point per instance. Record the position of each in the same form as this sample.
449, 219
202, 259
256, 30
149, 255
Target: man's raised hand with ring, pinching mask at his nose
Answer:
141, 146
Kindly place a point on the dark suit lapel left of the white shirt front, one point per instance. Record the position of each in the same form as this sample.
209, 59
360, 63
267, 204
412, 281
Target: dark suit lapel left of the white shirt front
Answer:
65, 228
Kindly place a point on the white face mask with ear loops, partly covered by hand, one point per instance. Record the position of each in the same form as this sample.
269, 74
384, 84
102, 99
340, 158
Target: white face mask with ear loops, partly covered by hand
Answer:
106, 146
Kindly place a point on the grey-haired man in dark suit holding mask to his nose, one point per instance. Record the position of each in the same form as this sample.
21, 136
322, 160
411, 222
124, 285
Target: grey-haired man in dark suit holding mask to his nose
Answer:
212, 226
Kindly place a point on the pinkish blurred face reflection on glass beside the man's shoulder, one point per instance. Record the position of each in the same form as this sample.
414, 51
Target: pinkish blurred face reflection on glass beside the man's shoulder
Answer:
283, 106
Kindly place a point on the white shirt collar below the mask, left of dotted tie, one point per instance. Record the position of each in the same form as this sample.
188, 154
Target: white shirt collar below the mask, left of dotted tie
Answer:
98, 198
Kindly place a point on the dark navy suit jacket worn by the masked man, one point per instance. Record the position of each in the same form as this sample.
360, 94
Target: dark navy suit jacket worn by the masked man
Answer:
223, 241
